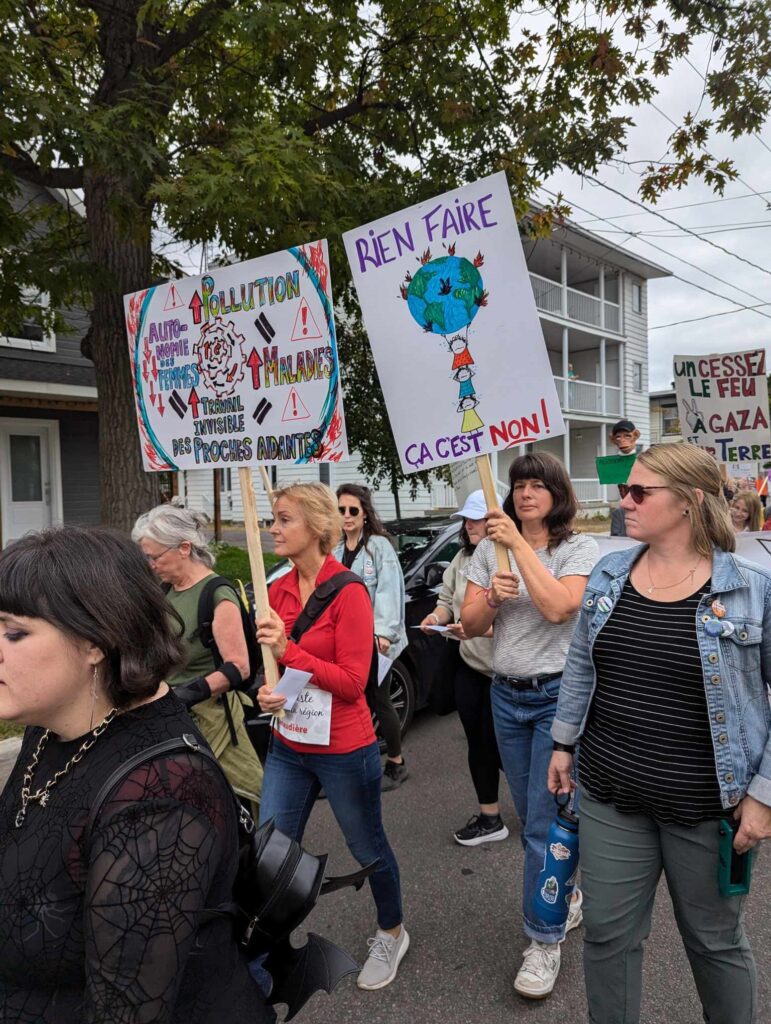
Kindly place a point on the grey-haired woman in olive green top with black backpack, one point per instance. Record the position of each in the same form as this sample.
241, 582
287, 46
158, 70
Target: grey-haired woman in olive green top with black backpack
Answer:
175, 543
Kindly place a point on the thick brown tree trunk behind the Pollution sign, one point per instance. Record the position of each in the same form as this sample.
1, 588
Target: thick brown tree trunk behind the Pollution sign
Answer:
123, 259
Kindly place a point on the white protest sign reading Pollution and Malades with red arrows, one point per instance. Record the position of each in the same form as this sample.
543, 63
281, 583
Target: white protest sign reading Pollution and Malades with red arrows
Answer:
239, 367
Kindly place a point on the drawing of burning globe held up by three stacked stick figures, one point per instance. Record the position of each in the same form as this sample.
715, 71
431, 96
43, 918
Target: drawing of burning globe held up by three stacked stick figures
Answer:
444, 297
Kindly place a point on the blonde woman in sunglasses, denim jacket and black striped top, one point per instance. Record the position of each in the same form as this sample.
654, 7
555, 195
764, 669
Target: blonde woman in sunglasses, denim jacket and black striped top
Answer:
666, 688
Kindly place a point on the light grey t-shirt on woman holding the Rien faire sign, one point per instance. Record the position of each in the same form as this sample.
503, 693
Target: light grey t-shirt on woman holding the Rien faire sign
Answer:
524, 643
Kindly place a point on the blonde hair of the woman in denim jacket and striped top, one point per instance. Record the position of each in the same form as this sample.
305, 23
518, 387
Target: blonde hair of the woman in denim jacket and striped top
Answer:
688, 468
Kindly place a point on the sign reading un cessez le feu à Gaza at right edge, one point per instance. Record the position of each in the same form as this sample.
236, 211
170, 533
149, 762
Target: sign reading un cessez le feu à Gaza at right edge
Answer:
723, 405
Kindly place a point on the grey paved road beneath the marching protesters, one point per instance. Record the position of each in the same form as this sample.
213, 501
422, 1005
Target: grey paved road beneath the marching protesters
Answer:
462, 914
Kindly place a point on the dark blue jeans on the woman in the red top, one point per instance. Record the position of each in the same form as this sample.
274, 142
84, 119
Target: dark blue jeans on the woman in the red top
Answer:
352, 783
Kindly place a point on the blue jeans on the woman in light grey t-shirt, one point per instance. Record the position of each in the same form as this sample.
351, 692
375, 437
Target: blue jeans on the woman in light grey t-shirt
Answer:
524, 721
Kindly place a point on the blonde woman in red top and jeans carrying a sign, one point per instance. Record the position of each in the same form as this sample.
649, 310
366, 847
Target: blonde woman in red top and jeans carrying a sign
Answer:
328, 742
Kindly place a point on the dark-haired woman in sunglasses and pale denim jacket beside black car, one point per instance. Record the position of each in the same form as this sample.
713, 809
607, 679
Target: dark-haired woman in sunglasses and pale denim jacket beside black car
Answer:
367, 550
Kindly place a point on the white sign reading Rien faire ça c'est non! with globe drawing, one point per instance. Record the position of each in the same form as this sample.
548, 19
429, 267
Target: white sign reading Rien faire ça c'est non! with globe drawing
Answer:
449, 309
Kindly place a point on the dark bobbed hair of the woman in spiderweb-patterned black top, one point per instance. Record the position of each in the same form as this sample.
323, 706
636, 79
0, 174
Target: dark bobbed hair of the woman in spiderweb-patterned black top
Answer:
96, 585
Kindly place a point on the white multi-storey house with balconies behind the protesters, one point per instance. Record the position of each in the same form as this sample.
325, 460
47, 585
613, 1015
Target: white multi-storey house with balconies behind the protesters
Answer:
592, 298
